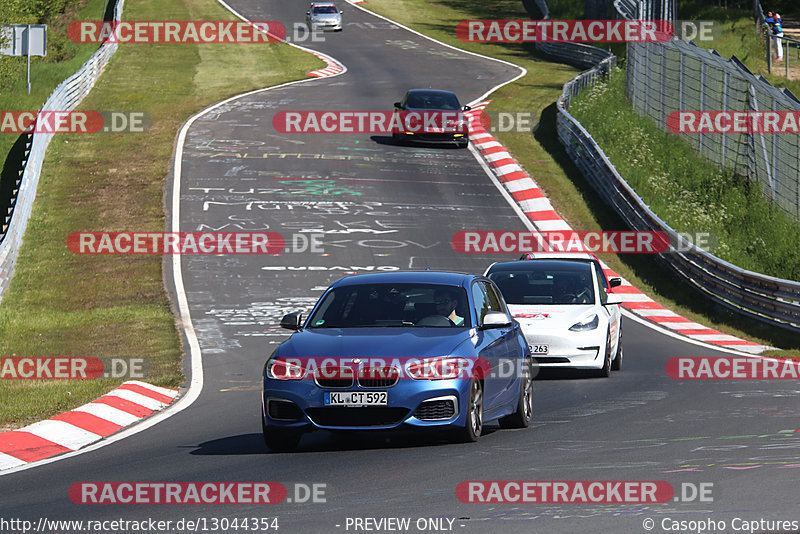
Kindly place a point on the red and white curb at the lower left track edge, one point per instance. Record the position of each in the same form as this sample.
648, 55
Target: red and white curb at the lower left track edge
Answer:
87, 424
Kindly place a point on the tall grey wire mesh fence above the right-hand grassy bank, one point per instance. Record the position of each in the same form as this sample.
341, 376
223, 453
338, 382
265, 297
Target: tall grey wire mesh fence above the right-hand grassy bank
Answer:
662, 78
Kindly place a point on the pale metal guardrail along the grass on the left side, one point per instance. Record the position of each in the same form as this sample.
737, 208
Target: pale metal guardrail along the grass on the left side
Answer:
65, 97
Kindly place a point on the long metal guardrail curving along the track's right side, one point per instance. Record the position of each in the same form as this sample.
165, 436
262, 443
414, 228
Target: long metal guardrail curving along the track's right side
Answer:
763, 298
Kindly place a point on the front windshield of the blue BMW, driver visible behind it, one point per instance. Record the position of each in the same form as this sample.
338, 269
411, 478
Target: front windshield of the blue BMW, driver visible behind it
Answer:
392, 305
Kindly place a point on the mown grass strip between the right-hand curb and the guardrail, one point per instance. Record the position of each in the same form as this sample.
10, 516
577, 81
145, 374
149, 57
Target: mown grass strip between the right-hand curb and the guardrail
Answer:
542, 155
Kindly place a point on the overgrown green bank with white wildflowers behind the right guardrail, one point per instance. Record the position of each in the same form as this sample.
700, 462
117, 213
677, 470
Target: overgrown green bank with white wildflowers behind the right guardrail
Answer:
690, 193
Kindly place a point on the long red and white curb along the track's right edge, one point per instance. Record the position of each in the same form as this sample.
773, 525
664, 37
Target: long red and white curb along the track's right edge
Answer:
533, 202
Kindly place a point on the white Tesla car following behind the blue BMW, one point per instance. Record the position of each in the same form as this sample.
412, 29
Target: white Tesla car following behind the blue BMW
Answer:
563, 304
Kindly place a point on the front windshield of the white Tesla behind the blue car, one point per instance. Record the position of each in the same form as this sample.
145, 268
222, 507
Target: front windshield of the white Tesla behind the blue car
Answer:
545, 282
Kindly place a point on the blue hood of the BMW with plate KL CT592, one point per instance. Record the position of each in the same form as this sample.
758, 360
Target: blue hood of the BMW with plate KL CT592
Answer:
373, 342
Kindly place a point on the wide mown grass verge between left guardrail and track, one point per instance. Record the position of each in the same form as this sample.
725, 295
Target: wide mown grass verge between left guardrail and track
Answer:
64, 305
